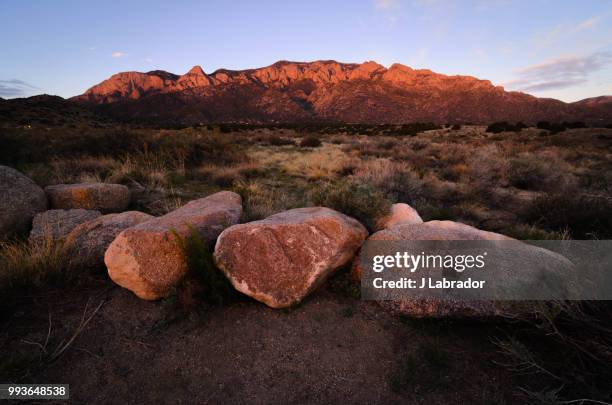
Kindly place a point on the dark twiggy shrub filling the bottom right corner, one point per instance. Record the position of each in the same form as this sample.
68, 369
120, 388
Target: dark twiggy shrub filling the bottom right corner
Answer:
579, 330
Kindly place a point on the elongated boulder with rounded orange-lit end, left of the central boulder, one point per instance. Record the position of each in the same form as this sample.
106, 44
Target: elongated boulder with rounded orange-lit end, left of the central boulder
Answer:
147, 258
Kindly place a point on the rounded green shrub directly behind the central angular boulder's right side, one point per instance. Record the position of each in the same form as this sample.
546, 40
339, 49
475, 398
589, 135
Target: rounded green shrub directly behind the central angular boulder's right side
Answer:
359, 201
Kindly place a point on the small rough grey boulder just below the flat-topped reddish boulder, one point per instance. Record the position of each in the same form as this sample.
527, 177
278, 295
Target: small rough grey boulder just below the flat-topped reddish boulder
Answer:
55, 225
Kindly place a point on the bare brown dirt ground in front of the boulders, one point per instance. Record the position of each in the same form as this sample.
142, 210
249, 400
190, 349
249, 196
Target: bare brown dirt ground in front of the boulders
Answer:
331, 349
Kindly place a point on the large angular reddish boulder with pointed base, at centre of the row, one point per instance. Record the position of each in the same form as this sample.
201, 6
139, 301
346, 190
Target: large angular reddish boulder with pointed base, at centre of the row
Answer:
281, 259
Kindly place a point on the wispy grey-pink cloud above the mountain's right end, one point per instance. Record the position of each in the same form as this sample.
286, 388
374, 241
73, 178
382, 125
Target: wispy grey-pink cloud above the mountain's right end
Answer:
560, 73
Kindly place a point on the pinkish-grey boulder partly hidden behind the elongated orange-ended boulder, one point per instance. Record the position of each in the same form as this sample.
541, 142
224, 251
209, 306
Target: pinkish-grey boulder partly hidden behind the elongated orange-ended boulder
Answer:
89, 241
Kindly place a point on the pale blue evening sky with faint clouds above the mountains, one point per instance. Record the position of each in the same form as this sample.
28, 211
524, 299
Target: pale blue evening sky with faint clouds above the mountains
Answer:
549, 48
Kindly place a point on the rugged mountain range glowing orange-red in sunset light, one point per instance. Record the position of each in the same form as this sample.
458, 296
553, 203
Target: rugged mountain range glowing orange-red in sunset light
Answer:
326, 91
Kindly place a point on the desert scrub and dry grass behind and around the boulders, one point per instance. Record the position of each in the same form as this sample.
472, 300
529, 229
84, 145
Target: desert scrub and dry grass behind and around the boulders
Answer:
527, 182
